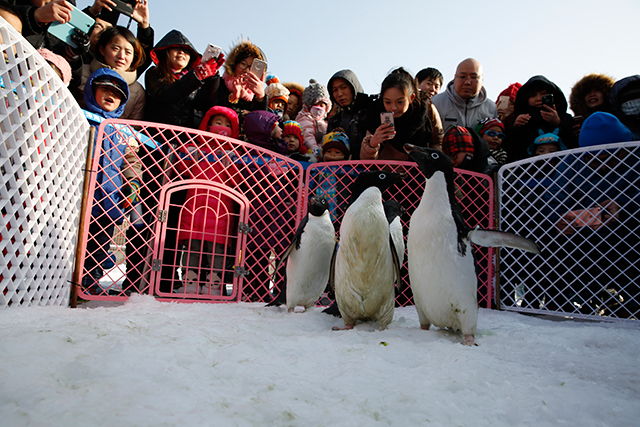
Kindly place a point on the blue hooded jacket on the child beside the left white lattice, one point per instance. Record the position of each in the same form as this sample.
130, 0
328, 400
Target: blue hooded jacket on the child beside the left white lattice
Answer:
109, 179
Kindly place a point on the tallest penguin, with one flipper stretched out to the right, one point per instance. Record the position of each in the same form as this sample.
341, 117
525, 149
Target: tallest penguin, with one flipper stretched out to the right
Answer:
441, 263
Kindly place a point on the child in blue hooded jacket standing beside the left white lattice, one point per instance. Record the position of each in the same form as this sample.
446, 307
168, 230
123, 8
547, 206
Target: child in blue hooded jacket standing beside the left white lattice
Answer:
105, 96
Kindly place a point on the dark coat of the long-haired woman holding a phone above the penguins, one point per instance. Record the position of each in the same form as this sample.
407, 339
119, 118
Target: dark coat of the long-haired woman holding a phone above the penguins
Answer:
413, 127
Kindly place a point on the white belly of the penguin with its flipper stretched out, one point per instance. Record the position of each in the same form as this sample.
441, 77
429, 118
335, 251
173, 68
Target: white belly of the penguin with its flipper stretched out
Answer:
443, 282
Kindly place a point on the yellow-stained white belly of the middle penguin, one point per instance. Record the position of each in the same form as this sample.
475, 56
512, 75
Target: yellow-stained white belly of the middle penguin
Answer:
364, 271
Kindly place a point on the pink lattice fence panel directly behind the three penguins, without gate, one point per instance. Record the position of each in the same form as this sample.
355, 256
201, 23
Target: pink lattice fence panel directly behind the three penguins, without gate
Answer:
475, 193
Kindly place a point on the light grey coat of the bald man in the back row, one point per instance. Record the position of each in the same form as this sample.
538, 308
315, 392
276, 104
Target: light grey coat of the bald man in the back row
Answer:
455, 110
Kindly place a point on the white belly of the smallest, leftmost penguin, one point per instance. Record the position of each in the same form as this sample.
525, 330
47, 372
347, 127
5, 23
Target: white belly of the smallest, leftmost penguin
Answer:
308, 267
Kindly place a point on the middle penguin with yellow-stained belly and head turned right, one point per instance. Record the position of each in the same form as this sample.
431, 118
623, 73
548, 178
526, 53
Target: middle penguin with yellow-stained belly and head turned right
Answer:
366, 263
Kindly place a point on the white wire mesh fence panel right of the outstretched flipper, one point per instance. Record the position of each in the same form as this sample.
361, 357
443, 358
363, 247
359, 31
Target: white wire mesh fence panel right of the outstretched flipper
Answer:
581, 206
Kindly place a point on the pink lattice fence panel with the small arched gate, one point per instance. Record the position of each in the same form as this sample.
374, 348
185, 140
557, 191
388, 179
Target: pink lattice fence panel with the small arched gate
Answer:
210, 215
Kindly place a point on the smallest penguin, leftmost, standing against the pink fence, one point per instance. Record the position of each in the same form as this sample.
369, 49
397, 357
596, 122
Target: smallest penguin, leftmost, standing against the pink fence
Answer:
308, 258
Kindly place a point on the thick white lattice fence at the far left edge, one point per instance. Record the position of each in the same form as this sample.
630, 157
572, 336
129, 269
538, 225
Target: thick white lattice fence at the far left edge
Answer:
42, 155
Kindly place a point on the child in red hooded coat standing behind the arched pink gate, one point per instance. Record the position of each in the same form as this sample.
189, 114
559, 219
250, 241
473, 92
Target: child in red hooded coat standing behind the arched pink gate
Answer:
206, 219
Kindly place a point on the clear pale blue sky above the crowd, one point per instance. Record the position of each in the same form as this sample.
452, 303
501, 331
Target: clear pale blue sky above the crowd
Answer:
514, 40
